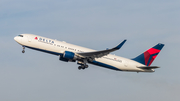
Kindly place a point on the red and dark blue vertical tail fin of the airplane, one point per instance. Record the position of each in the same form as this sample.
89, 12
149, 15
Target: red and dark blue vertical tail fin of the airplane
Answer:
148, 56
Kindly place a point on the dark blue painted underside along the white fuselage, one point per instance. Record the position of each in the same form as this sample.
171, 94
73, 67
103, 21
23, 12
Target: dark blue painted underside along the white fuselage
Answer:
94, 62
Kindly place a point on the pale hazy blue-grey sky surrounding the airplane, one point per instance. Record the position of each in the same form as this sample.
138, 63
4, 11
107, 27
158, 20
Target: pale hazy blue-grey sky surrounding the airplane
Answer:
96, 24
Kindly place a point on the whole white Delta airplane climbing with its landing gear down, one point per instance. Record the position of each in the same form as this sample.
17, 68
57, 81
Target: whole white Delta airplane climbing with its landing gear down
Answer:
71, 53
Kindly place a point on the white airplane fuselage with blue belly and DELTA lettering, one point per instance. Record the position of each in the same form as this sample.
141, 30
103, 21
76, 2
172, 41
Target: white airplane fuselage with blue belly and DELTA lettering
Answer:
59, 47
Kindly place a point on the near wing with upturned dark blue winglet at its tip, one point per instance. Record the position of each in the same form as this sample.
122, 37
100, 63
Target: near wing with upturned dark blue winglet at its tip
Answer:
98, 54
